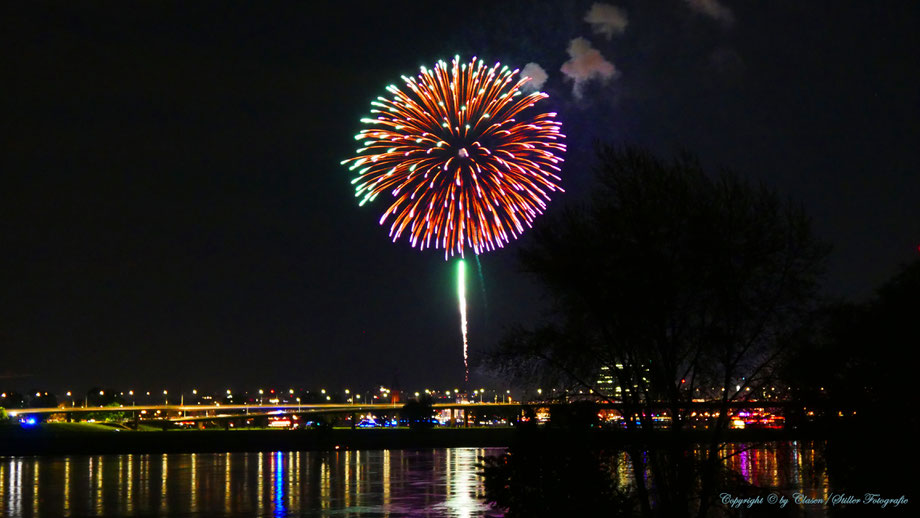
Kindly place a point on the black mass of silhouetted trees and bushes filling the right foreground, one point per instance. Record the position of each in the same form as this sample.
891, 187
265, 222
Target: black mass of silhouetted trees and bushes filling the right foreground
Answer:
673, 285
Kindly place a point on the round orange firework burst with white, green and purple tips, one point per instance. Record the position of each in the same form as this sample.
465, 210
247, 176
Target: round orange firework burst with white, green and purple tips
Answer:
466, 165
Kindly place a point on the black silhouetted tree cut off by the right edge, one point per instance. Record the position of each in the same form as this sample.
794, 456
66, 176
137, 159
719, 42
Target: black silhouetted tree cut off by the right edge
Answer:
864, 357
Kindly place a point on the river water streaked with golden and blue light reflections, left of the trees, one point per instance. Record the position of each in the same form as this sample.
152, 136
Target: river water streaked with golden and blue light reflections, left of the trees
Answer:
439, 482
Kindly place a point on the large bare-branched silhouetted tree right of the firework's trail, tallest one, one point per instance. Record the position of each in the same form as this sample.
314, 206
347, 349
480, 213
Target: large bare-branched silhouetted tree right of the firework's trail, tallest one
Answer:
683, 285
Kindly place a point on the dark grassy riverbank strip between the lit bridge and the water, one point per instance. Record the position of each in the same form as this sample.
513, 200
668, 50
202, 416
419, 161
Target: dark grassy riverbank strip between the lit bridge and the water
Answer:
51, 441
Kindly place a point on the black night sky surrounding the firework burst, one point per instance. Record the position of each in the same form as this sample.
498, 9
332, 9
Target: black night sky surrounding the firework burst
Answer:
173, 212
